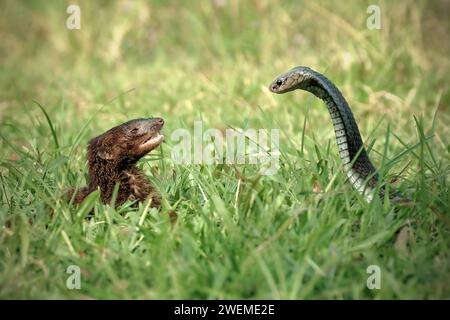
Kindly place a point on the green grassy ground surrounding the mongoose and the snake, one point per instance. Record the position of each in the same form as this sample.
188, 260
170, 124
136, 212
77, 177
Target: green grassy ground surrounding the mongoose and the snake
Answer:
300, 234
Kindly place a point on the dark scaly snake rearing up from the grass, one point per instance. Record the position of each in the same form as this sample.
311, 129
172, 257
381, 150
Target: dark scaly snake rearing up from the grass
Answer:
360, 171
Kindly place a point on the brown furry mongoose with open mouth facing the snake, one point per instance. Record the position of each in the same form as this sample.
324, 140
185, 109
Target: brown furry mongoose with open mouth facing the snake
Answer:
112, 158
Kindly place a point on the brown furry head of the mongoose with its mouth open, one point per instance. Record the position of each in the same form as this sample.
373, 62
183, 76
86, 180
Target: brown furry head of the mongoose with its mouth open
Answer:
127, 142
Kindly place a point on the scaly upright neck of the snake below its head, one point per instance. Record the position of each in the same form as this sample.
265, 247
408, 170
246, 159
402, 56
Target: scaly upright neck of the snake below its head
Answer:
359, 169
